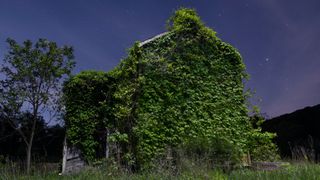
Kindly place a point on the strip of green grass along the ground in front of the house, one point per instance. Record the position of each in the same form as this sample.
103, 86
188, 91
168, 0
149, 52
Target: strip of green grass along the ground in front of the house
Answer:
296, 171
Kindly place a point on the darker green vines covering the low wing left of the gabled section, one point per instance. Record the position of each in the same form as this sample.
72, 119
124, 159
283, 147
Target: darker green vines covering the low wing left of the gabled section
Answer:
87, 98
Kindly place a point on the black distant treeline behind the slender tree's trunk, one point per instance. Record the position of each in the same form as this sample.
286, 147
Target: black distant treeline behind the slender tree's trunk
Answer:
47, 143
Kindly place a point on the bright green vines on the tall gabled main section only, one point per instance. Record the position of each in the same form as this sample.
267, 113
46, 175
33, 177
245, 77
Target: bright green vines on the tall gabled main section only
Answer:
189, 87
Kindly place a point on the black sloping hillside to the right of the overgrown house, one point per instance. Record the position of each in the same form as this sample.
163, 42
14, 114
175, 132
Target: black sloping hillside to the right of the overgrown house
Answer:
298, 133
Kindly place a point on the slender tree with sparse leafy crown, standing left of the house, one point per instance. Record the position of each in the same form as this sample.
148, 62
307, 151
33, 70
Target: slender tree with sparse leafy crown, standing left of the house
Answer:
33, 73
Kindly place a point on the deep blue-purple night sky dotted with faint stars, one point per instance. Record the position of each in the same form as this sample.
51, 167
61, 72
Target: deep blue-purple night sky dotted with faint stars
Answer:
279, 40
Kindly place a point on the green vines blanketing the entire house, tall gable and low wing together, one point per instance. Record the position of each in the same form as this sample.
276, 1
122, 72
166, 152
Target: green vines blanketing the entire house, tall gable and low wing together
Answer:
181, 94
